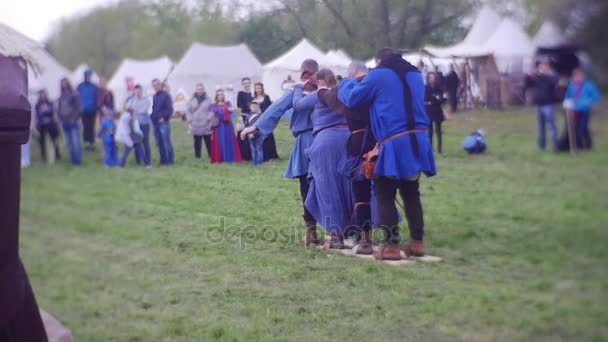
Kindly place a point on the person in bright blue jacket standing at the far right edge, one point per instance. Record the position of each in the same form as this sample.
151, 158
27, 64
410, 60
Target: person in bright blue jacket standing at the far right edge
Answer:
581, 95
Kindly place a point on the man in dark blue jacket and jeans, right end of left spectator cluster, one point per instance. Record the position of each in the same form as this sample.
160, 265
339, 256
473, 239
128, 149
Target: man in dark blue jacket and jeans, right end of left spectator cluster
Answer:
162, 110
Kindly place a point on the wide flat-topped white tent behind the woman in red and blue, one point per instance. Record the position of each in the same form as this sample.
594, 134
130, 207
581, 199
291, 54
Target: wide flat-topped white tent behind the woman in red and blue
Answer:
215, 66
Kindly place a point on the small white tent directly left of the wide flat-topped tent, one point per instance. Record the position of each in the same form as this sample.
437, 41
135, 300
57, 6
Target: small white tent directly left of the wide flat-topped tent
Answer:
142, 71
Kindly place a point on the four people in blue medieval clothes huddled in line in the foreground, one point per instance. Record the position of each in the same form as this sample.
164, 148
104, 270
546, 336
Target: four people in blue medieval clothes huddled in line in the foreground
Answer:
372, 120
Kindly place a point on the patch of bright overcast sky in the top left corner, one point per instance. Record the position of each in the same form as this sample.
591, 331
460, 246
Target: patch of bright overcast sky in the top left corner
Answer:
37, 18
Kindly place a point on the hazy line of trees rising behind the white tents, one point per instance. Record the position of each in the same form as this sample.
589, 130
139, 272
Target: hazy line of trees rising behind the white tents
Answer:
149, 28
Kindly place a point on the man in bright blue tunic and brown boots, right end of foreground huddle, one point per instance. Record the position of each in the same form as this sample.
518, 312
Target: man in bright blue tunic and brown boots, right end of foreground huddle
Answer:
395, 91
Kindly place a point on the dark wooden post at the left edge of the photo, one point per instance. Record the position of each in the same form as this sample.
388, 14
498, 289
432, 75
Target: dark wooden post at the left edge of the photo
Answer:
19, 316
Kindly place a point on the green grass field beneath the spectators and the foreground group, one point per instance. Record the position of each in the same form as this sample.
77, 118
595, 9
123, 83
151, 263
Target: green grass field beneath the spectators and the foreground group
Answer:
199, 252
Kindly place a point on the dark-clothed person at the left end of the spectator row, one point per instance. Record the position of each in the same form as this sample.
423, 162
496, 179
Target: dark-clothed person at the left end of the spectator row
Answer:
46, 123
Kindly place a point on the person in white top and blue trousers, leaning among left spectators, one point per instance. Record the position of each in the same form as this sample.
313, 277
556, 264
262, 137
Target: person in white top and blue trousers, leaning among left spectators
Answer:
129, 133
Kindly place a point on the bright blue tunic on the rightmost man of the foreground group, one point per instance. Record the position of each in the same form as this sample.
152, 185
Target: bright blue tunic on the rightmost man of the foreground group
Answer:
384, 90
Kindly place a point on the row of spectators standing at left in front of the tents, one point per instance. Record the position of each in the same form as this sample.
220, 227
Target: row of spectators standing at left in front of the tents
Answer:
209, 121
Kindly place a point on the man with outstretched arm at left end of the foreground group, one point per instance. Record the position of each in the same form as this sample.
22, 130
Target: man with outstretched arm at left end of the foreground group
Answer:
301, 127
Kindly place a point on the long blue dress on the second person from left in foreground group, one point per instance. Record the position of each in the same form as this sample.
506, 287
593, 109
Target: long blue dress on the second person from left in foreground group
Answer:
330, 198
